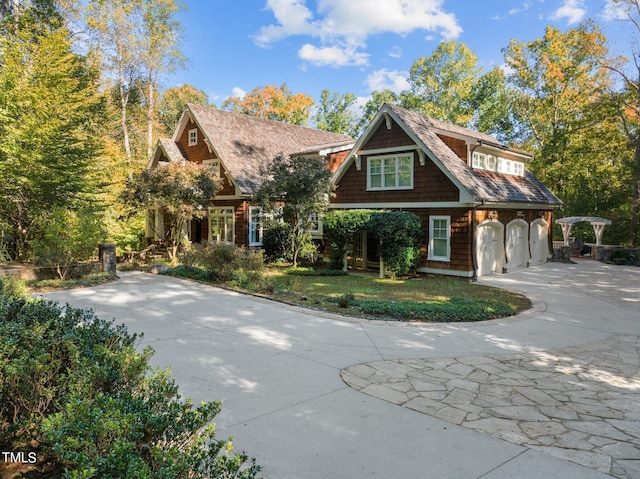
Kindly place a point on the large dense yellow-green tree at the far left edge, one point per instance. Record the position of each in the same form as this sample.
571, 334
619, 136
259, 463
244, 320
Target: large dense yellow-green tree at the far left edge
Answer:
49, 112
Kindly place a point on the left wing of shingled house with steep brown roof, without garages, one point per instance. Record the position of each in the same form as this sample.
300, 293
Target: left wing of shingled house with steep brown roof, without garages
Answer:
236, 146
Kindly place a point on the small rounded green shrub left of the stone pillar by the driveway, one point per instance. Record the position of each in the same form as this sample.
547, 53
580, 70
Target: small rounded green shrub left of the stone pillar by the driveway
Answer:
67, 237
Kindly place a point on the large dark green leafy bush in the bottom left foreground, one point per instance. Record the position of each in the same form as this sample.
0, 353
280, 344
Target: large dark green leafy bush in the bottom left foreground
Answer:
74, 389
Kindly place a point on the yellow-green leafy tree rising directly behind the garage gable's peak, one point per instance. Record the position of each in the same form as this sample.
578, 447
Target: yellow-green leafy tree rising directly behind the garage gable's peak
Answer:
442, 84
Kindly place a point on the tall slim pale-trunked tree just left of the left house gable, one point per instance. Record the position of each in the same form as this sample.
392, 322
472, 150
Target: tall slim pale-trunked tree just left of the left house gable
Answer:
160, 50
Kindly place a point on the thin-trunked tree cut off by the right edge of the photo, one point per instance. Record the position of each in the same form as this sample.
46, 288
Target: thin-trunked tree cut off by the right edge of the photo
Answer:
629, 108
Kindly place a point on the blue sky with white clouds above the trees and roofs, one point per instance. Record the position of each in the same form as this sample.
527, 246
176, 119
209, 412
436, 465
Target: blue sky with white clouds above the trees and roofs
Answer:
358, 46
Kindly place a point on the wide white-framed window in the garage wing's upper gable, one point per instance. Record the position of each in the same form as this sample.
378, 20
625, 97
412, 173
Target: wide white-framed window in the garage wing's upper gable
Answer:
393, 172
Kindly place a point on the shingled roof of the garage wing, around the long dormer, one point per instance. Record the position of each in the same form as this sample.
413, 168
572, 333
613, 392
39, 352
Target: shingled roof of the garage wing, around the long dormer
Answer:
481, 185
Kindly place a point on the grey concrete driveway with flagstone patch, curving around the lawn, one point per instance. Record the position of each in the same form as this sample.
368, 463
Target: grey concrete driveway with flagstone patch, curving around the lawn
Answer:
278, 371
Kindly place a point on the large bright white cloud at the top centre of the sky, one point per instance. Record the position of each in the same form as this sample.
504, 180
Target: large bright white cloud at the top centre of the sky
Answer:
343, 26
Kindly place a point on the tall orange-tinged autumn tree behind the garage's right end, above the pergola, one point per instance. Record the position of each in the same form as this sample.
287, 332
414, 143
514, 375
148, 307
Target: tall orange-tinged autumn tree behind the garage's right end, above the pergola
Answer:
560, 89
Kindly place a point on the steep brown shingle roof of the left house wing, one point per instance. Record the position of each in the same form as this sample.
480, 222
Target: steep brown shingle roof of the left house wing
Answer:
245, 143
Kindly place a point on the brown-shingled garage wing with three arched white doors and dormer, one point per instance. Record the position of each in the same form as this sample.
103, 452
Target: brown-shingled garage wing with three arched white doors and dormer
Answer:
482, 210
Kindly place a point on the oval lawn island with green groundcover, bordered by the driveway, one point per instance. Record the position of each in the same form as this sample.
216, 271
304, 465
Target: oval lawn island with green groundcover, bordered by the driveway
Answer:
424, 298
